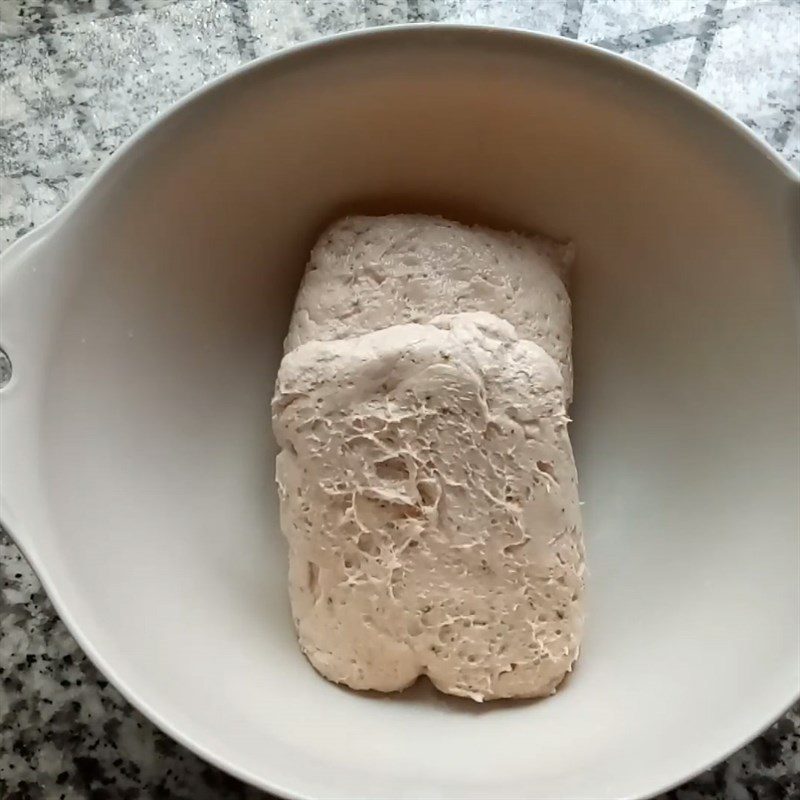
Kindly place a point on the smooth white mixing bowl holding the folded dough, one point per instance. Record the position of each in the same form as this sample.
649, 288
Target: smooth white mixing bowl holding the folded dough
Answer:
144, 324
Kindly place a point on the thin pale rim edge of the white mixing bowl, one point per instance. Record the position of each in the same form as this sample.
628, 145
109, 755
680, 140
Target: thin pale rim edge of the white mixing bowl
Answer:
464, 31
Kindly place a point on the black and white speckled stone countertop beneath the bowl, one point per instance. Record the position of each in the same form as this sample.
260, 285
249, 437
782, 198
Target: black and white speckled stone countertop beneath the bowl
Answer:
78, 77
